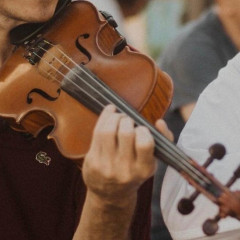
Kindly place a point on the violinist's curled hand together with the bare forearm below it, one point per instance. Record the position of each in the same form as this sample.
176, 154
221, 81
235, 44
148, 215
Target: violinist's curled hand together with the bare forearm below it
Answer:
119, 161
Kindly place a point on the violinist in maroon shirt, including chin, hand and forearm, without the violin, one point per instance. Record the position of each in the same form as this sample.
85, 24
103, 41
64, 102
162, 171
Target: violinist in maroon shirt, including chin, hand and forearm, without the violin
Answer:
46, 196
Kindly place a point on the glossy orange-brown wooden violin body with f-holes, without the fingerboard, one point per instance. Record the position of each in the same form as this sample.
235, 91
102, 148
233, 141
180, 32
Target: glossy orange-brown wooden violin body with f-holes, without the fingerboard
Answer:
33, 94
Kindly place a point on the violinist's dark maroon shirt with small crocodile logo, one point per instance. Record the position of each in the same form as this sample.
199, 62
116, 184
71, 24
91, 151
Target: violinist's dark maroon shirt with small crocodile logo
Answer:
42, 200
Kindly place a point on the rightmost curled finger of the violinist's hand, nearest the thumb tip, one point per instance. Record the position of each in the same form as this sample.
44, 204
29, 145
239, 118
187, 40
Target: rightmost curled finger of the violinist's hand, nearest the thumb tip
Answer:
144, 144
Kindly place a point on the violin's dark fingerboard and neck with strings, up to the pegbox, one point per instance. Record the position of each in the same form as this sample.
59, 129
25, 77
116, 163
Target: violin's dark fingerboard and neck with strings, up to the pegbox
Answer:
94, 94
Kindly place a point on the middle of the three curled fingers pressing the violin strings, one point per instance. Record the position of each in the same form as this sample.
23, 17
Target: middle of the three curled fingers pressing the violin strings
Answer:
126, 136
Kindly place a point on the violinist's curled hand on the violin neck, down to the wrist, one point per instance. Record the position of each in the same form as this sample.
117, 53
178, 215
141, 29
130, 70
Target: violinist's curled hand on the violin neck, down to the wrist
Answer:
120, 157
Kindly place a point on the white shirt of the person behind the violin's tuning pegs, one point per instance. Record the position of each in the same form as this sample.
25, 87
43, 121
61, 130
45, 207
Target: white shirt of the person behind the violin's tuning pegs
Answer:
215, 119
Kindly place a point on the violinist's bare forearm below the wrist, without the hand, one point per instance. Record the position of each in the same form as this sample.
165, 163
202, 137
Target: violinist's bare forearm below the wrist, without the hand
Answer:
104, 220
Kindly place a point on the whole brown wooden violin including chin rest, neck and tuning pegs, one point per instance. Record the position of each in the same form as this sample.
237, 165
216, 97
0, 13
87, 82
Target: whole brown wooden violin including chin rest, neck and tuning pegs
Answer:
62, 73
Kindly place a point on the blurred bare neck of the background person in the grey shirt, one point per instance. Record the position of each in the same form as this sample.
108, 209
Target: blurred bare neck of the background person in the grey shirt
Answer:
231, 24
